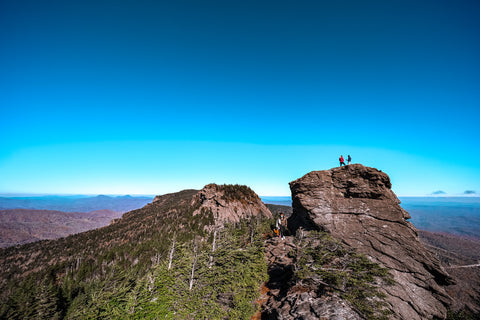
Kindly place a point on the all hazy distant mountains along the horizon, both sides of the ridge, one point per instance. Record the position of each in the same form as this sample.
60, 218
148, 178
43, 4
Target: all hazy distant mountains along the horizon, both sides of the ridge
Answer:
32, 218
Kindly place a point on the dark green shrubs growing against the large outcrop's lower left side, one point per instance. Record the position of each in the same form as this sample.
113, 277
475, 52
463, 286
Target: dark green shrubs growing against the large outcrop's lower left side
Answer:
354, 276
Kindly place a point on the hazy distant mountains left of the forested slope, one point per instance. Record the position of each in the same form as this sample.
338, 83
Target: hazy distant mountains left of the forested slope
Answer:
29, 219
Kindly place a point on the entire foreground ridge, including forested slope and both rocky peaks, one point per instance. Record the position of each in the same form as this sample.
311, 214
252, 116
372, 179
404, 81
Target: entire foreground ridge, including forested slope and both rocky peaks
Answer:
205, 254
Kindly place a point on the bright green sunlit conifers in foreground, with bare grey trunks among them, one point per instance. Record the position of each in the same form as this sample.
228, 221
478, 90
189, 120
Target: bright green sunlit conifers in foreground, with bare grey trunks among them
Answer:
226, 283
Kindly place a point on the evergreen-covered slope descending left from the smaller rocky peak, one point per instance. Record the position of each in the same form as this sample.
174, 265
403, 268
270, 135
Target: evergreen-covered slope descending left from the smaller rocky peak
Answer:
121, 271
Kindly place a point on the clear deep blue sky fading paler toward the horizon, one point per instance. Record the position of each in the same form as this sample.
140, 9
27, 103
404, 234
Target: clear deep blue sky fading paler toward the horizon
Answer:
150, 97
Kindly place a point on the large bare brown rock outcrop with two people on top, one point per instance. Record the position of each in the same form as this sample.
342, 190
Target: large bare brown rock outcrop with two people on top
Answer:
356, 205
